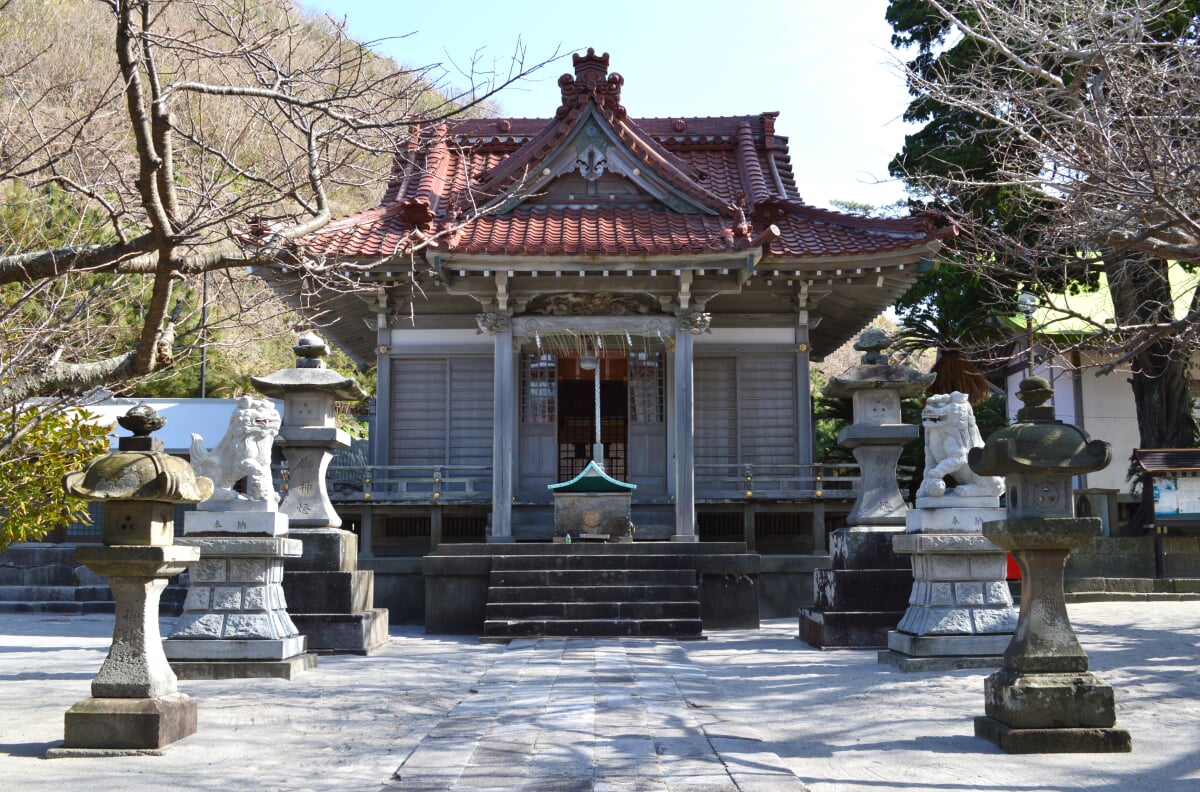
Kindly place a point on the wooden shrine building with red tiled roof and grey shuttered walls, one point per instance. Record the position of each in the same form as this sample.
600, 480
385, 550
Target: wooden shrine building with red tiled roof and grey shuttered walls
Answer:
669, 266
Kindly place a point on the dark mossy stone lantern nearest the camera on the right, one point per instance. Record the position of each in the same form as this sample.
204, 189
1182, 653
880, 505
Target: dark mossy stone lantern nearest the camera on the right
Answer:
1043, 700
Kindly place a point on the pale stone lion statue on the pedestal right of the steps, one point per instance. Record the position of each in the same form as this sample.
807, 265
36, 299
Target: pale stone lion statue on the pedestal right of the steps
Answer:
951, 434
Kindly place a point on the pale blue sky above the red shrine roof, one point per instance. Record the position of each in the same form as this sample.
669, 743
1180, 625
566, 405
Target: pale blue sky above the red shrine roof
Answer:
826, 65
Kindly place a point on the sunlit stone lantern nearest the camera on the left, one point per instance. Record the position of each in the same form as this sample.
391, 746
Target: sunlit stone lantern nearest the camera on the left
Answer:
136, 705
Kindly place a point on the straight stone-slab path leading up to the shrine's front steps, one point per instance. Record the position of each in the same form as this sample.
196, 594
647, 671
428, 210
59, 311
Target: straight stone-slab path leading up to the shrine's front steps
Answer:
580, 715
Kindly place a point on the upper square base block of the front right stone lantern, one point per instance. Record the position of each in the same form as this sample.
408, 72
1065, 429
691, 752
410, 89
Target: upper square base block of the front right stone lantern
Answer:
1045, 701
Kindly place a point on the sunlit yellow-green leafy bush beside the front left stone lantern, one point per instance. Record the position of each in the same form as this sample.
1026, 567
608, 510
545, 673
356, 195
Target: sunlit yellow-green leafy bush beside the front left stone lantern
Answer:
46, 446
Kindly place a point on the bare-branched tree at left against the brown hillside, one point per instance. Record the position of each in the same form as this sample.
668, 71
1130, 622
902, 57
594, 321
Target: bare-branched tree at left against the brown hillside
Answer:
141, 140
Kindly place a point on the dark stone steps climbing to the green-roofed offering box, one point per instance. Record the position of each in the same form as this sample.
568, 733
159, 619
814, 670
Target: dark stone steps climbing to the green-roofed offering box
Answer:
584, 593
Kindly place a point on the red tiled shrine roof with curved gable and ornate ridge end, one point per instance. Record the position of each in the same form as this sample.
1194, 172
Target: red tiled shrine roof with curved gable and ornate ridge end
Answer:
713, 165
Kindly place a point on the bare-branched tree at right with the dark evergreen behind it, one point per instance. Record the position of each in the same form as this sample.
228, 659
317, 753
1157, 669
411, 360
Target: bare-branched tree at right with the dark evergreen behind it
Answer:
1090, 109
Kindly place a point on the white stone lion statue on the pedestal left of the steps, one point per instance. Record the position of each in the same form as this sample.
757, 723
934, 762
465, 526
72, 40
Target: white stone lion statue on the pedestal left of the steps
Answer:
244, 453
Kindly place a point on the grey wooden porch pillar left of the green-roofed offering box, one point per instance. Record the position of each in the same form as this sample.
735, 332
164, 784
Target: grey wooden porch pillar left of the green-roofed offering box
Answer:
500, 327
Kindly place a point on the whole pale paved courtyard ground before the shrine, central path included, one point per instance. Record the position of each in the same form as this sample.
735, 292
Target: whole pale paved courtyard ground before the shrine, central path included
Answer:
742, 711
